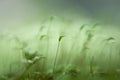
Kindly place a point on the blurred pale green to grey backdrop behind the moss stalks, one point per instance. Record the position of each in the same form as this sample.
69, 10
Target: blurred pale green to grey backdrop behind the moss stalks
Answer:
28, 20
